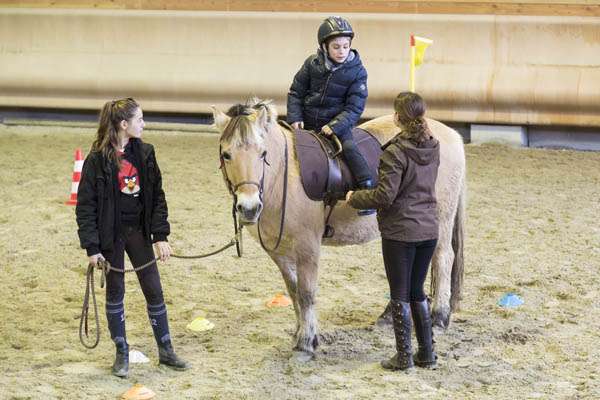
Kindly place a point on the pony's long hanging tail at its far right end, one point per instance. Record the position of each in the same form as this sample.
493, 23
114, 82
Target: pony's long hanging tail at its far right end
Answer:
458, 234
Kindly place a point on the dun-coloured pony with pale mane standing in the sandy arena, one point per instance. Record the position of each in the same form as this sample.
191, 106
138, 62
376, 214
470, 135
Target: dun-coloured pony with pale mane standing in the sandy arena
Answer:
254, 152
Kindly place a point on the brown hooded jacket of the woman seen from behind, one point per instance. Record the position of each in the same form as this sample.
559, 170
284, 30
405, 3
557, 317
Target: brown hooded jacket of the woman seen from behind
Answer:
405, 192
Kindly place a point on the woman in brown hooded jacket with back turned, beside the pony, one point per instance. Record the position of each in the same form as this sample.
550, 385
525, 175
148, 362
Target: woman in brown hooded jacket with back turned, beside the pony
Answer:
407, 215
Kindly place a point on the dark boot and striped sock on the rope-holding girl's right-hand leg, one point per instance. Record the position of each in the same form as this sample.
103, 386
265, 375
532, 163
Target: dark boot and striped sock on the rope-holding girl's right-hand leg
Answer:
160, 327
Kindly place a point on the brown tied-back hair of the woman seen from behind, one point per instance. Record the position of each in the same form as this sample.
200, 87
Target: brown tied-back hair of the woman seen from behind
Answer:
410, 109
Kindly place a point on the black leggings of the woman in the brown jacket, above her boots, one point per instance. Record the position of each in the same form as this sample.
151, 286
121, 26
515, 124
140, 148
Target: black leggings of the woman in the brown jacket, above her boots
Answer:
406, 265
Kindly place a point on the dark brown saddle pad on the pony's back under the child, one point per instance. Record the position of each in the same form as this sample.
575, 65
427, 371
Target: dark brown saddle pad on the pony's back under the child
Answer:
314, 166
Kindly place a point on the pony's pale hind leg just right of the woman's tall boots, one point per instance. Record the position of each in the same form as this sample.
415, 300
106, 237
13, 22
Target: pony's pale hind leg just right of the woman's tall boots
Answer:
441, 273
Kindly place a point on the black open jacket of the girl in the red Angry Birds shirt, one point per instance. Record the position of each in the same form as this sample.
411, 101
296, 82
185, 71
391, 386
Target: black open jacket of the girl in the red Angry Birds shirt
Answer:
97, 211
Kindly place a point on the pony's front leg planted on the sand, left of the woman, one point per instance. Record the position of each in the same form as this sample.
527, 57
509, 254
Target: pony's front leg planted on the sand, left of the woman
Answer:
306, 338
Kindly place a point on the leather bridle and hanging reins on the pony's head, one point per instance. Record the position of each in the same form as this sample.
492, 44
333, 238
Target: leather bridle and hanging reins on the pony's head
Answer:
232, 188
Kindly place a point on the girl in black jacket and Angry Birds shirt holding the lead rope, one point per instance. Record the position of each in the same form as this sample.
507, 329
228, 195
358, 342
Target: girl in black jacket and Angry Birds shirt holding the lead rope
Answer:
121, 207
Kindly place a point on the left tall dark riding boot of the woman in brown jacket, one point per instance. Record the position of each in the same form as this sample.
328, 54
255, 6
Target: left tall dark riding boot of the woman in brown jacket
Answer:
402, 330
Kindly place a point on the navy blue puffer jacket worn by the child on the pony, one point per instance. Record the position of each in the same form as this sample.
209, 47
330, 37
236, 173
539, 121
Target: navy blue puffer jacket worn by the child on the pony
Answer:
325, 93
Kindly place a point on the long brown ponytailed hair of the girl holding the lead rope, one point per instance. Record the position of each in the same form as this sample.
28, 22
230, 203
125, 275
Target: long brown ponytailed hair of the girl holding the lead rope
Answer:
111, 115
